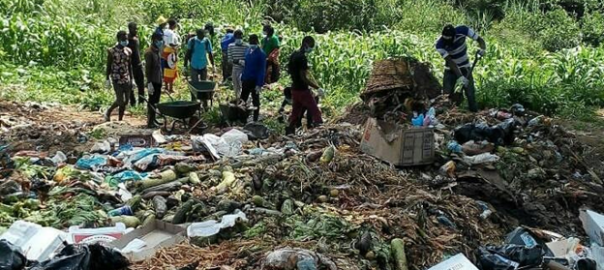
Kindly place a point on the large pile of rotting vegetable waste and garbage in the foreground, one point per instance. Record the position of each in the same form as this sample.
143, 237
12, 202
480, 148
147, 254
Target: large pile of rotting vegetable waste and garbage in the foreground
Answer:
502, 189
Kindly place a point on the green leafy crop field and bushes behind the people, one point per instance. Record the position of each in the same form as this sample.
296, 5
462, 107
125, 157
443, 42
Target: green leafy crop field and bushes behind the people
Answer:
55, 50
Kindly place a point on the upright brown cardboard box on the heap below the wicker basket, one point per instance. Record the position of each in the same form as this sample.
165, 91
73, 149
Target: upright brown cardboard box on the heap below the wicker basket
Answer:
398, 145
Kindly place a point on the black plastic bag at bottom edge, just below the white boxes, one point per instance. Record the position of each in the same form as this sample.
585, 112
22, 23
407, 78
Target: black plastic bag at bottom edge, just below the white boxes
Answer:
85, 257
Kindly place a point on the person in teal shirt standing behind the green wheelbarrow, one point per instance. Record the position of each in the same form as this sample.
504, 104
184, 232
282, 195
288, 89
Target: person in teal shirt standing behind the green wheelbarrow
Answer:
199, 49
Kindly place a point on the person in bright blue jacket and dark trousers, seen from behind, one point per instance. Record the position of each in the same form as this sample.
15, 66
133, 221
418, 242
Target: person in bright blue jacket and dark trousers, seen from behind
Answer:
253, 75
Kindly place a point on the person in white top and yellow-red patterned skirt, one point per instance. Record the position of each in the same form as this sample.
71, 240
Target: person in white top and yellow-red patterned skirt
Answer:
169, 54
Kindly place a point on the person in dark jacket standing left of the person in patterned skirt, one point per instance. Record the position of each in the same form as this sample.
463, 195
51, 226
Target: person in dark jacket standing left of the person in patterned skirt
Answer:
154, 74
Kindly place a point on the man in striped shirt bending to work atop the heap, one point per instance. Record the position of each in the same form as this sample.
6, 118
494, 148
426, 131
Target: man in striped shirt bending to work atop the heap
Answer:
452, 46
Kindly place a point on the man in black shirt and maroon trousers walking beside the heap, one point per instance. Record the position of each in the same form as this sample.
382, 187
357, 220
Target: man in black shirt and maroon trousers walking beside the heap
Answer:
302, 96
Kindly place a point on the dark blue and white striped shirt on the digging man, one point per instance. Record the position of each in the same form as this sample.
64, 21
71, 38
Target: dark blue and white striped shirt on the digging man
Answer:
458, 50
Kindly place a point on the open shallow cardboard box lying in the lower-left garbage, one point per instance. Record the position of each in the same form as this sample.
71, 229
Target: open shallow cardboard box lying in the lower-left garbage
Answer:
155, 235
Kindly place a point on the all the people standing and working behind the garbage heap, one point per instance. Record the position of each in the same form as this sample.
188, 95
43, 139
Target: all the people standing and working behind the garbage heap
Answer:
251, 66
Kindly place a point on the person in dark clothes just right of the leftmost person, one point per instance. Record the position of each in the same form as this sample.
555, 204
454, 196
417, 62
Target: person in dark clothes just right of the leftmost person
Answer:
137, 64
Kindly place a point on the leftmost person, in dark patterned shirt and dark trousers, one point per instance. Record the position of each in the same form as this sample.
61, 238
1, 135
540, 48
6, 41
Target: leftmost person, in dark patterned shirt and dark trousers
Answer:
119, 74
